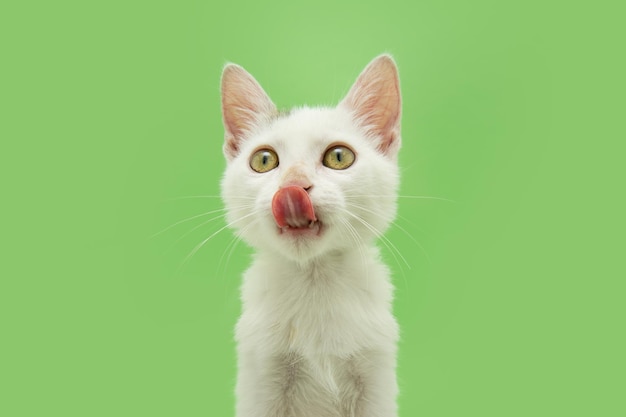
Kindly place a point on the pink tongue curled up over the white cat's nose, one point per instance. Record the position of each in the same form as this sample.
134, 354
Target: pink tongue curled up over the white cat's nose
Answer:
292, 207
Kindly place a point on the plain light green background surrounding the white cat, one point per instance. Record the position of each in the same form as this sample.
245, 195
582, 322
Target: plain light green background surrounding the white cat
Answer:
510, 304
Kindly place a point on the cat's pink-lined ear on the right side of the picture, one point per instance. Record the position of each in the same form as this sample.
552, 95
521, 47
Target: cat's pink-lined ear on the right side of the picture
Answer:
375, 101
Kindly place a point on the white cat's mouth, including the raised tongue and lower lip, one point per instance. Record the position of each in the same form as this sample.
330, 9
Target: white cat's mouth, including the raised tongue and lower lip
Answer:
294, 213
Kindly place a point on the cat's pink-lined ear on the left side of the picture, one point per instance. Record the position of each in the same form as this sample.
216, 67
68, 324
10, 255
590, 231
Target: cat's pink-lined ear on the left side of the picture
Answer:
244, 106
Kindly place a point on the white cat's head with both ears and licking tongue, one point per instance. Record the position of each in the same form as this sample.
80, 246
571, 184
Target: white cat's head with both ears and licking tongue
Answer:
313, 180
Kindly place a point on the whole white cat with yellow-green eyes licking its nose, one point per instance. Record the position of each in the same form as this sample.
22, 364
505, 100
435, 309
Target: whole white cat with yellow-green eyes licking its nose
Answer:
310, 190
